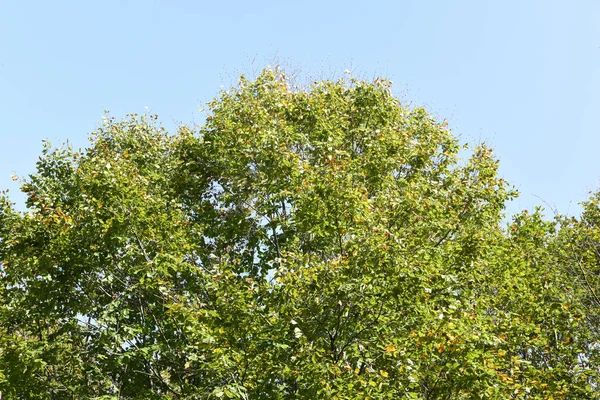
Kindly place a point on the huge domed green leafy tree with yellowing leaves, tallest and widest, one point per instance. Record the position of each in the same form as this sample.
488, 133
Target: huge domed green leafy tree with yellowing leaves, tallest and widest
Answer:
324, 242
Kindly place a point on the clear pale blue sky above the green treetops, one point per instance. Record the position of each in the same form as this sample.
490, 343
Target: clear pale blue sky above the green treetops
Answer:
523, 76
